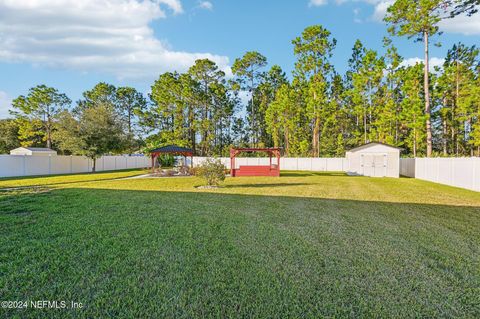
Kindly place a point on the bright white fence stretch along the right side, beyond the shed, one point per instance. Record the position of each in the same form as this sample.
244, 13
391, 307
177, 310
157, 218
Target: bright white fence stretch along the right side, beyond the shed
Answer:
459, 172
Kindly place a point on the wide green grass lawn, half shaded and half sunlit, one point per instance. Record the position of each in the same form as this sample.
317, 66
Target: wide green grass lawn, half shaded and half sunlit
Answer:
302, 245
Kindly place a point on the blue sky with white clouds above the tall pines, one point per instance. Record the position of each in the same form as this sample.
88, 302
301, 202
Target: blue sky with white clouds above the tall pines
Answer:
72, 45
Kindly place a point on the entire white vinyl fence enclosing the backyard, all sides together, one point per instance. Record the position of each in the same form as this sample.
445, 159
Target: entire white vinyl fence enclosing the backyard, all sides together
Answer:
459, 172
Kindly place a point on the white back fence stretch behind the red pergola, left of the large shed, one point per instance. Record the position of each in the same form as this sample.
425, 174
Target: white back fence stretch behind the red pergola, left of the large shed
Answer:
288, 163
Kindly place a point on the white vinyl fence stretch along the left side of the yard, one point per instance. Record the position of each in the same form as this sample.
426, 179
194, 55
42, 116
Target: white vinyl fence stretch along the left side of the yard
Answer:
20, 165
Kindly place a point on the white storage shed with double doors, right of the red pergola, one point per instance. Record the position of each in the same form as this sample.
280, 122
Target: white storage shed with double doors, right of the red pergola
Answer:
375, 160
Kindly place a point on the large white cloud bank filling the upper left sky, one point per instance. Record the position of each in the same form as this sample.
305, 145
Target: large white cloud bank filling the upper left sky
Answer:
111, 36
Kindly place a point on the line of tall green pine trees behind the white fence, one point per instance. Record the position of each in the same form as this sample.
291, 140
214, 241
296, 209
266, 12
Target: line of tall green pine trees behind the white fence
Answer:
315, 112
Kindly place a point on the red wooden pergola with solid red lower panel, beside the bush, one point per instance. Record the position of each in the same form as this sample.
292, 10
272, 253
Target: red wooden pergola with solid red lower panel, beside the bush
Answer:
257, 170
